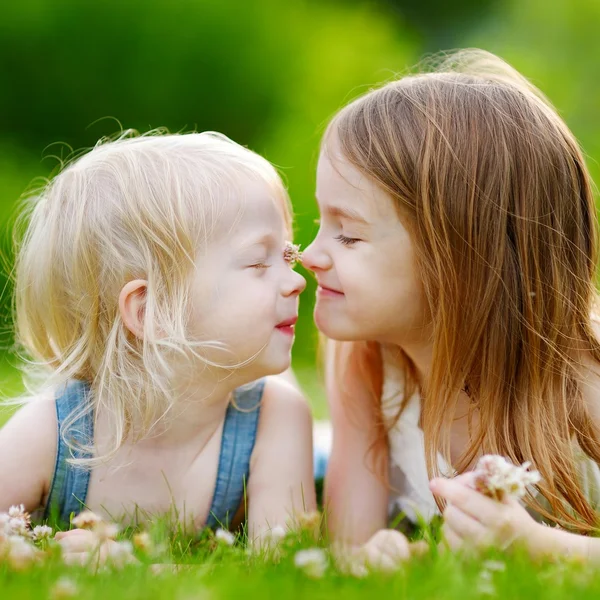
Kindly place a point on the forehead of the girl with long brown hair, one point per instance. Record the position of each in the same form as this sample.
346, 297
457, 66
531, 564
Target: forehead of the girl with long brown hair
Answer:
341, 184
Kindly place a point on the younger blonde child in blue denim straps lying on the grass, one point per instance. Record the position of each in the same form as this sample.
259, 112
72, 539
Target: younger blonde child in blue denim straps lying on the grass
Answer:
154, 299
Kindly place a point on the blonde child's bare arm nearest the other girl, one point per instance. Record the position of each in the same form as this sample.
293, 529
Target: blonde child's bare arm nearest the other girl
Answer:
281, 469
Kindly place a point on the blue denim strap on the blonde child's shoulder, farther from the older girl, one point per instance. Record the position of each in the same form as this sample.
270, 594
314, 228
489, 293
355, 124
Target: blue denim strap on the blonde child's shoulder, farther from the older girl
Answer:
69, 487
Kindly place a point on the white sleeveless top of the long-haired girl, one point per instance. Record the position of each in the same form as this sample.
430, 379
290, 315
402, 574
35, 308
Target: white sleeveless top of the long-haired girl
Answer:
408, 470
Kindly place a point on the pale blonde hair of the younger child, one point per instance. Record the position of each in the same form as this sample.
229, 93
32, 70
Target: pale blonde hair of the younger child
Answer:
136, 207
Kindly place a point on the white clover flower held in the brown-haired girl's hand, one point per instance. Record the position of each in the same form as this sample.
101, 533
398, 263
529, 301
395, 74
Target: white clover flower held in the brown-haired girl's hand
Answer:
496, 477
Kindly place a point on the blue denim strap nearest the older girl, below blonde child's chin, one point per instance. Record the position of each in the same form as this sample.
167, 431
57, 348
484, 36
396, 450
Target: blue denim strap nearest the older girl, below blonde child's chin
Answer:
237, 444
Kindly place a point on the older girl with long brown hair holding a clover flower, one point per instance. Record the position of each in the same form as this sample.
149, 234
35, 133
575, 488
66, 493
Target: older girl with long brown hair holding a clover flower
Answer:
456, 259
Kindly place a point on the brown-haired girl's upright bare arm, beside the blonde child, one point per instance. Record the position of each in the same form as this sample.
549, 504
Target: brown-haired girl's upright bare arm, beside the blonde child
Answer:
355, 498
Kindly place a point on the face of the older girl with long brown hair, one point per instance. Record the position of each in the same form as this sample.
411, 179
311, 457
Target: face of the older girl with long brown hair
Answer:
363, 259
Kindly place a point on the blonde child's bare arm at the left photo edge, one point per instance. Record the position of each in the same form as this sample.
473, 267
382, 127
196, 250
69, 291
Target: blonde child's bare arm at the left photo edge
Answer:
27, 455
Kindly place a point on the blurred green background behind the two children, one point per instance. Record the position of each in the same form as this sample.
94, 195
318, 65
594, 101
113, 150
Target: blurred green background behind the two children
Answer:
268, 73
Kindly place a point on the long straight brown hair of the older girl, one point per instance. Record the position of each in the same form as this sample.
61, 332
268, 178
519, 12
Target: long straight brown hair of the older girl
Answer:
494, 190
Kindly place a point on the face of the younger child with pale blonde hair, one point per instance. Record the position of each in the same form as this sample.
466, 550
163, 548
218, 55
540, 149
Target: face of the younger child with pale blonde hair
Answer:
245, 294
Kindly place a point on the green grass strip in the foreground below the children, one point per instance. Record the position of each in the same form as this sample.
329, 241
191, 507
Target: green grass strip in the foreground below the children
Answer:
221, 572
